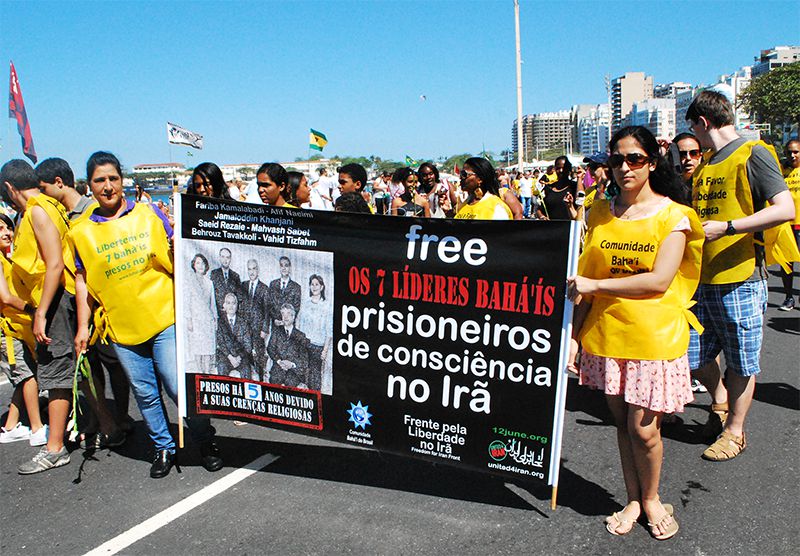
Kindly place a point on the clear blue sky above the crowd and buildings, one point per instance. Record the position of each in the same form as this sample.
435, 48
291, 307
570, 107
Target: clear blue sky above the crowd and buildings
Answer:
252, 77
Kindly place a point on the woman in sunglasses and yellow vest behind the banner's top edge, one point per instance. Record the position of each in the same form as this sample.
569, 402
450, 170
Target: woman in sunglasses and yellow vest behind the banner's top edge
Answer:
483, 201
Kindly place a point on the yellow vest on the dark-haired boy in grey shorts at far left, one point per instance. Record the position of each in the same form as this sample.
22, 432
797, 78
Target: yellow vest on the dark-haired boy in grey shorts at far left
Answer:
27, 274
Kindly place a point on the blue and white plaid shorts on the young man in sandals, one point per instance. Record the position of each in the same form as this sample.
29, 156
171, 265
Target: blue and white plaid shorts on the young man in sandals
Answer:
733, 318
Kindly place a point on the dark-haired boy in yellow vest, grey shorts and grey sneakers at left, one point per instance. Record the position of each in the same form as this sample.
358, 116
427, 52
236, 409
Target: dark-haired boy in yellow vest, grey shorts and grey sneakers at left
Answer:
37, 273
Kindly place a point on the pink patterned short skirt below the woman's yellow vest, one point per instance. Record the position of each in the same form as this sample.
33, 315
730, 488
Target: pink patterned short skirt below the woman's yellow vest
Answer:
663, 386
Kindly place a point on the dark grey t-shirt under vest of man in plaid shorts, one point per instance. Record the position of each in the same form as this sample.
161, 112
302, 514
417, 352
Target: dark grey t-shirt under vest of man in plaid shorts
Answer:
766, 181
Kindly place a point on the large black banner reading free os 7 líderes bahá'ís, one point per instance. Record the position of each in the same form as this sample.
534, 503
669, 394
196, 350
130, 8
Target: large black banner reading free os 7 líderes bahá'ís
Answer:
437, 339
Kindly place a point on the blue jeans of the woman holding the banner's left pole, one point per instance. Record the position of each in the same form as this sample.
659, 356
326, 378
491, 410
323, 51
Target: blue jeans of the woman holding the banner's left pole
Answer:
147, 365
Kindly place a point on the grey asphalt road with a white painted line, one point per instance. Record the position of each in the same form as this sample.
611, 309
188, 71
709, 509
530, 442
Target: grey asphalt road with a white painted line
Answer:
316, 497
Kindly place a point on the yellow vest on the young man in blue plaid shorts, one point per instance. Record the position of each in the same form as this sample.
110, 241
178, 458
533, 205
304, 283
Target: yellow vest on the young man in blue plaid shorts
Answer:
722, 192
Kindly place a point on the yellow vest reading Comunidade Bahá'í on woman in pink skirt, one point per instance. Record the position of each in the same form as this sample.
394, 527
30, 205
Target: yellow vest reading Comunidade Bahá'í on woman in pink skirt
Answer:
654, 328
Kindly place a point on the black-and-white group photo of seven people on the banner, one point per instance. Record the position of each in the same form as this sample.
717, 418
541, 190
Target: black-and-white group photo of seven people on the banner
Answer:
259, 313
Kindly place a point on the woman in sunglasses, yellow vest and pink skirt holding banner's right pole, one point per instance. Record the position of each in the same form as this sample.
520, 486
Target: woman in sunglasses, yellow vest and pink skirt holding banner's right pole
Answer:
636, 277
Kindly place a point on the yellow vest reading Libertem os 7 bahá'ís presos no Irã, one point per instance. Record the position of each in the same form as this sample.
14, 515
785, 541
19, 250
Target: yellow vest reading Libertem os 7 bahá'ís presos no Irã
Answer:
129, 272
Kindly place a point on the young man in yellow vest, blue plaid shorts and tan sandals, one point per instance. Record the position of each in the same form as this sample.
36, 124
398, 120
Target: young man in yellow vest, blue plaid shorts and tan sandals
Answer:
738, 191
